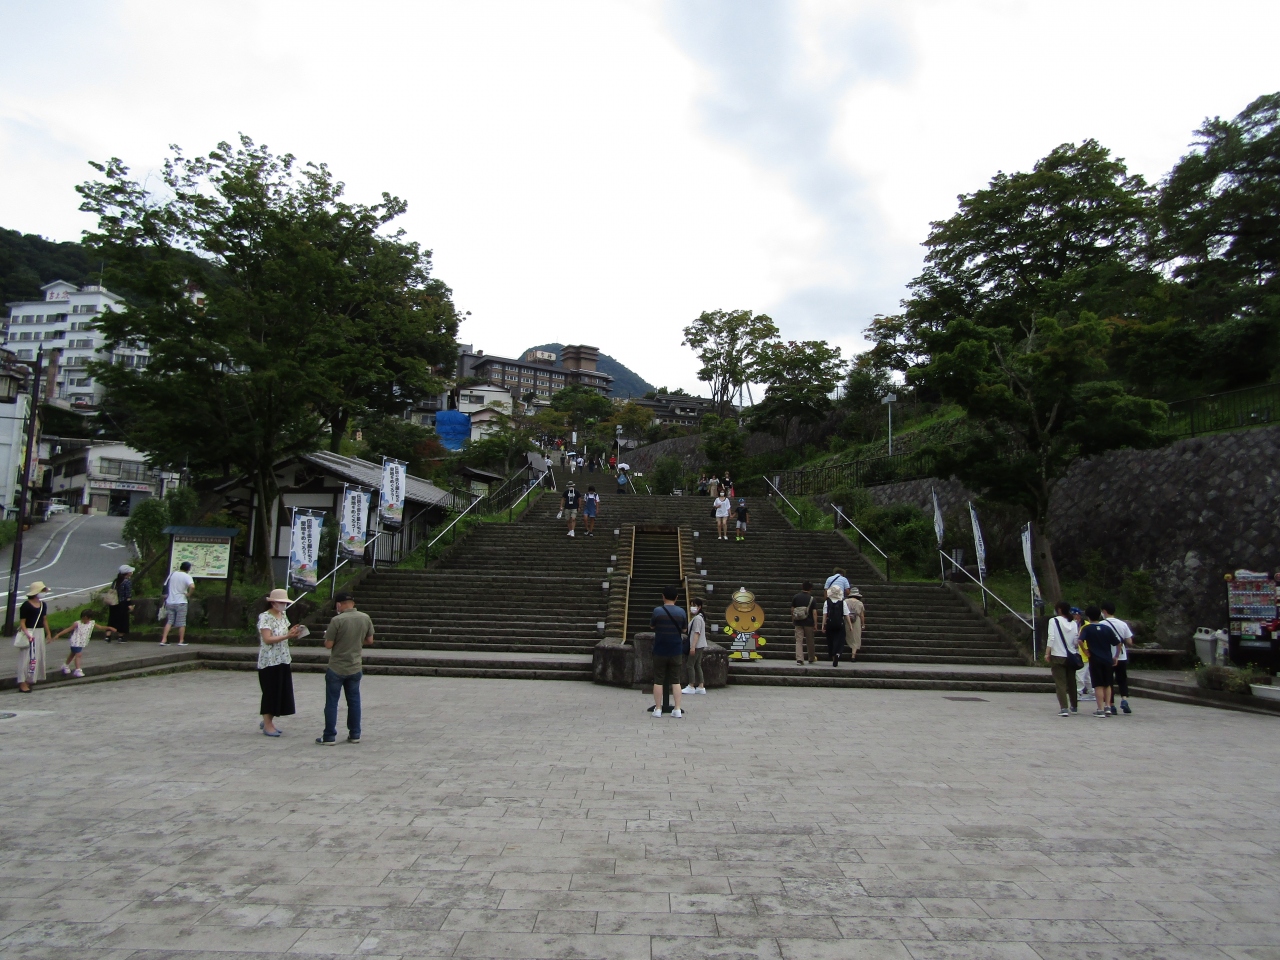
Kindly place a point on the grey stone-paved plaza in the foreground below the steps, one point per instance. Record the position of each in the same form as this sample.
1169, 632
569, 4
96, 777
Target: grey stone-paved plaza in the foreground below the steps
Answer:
488, 819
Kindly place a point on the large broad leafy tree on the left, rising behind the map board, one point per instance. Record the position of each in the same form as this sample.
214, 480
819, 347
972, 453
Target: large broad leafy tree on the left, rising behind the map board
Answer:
258, 290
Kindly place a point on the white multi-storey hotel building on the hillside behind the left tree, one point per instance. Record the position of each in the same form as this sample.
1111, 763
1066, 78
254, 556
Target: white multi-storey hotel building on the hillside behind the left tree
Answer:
66, 321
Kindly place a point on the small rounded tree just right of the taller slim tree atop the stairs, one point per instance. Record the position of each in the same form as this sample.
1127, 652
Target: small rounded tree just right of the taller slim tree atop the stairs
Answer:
801, 377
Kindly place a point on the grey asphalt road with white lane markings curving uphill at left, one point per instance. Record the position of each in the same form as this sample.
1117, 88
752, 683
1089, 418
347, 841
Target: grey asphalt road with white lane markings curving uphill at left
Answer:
72, 554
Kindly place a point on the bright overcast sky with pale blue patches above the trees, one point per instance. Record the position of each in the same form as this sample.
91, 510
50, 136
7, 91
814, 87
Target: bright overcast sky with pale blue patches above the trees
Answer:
605, 171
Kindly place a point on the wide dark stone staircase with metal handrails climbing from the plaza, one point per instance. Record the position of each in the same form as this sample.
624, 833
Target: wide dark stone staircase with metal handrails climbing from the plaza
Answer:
525, 600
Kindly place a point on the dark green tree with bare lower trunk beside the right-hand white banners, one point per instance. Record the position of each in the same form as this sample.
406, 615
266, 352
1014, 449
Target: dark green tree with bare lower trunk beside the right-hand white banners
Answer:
1045, 400
